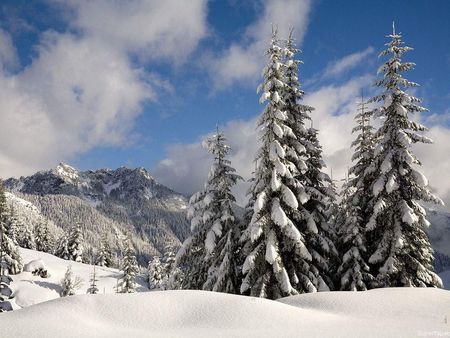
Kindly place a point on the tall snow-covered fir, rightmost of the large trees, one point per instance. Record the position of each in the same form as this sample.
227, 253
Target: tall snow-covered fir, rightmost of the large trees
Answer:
401, 254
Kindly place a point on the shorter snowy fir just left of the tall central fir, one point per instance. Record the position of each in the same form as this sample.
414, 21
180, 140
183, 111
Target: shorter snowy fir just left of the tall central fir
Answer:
208, 257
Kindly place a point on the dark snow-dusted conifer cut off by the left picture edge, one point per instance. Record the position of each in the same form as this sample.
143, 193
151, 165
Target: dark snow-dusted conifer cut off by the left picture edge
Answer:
9, 251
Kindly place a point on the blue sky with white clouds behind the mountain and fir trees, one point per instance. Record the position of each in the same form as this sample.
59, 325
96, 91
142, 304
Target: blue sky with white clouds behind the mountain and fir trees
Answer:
140, 83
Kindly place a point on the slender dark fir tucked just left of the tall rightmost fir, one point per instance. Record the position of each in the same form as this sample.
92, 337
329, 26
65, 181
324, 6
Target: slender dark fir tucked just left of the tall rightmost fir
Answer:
354, 271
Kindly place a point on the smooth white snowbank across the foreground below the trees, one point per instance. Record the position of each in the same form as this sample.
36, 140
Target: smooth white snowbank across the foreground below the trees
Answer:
395, 312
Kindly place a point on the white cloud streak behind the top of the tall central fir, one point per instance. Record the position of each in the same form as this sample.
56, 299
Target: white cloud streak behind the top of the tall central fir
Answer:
243, 61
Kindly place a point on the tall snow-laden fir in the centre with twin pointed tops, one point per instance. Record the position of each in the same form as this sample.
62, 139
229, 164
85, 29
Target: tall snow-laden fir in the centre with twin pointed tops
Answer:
277, 259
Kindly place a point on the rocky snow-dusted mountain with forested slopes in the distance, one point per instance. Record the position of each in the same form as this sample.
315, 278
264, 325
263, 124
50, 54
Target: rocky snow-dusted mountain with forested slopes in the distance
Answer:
106, 201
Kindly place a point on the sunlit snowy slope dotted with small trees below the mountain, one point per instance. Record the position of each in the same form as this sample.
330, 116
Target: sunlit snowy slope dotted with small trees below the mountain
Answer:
29, 289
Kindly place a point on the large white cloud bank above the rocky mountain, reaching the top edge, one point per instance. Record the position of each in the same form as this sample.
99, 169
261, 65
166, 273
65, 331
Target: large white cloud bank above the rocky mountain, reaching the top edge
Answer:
82, 90
